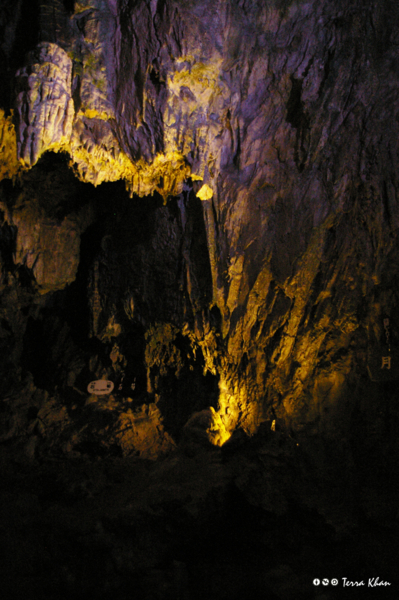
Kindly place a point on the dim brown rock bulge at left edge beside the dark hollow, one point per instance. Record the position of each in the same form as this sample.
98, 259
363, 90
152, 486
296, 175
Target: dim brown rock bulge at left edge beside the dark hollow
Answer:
39, 238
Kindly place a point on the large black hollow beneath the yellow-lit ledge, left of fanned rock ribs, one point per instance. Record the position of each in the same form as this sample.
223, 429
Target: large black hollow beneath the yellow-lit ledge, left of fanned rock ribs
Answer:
131, 276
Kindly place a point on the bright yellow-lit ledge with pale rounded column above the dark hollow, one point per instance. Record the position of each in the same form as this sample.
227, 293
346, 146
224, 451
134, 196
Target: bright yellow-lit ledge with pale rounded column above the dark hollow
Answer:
47, 121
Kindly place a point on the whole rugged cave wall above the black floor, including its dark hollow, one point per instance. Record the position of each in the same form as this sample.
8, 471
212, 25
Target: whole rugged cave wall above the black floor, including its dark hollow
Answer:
200, 197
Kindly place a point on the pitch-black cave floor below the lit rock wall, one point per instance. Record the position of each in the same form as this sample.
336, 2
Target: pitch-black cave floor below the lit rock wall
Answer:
188, 527
